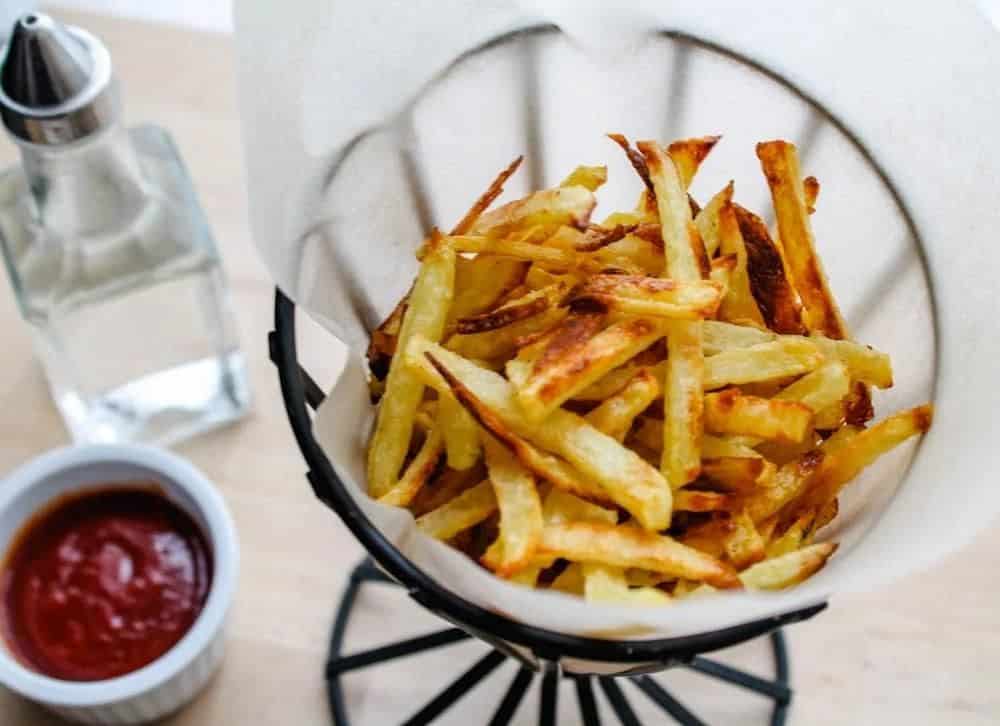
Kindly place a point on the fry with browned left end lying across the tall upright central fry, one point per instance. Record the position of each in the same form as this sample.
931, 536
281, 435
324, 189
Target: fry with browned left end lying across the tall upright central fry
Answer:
652, 296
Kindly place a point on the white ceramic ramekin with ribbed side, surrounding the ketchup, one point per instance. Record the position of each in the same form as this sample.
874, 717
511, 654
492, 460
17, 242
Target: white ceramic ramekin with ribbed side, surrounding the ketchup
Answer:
177, 676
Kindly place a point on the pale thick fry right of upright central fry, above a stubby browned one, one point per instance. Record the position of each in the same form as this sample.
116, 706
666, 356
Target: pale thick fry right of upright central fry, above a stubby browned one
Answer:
791, 356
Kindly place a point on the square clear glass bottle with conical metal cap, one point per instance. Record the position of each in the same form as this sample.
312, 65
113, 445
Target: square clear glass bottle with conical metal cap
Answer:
109, 253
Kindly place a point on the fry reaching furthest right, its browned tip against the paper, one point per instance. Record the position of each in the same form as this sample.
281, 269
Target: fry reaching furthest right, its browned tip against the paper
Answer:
841, 465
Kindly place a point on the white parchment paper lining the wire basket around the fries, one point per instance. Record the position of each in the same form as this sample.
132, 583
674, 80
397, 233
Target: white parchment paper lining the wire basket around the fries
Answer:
331, 170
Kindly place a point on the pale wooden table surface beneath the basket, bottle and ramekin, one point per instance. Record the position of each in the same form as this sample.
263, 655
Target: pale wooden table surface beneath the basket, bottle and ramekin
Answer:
925, 652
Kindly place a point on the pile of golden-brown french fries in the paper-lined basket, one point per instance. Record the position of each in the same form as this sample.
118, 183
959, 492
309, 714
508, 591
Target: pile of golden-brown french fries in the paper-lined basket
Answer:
655, 406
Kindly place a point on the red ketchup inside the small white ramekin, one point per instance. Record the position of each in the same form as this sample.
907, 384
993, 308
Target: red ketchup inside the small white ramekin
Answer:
102, 583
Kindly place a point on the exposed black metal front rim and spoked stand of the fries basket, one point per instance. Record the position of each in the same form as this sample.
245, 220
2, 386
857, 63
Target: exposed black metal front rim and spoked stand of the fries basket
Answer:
538, 651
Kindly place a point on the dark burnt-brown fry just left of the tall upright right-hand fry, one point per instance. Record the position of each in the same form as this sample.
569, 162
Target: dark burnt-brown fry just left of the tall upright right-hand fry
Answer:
773, 293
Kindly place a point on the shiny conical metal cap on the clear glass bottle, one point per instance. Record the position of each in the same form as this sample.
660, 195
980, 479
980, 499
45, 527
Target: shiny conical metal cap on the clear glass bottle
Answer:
56, 84
